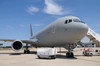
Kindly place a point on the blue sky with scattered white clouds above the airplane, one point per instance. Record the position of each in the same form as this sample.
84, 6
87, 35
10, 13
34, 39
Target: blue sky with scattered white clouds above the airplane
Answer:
16, 15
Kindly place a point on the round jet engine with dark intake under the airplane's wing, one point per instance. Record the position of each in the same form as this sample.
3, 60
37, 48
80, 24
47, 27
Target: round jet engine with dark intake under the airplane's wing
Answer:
17, 45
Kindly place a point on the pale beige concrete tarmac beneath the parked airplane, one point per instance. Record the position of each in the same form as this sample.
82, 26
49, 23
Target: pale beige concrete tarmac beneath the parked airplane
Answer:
11, 58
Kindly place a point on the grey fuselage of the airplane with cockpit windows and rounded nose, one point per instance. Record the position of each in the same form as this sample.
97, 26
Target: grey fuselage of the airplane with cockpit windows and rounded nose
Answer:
66, 30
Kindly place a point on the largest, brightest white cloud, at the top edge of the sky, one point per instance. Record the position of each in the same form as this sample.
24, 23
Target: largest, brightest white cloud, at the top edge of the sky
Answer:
53, 8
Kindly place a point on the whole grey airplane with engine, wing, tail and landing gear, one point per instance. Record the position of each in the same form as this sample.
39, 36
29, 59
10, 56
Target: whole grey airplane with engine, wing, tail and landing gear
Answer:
64, 32
